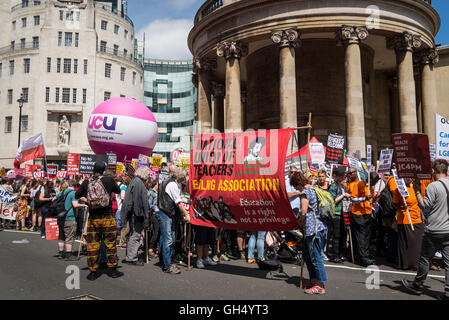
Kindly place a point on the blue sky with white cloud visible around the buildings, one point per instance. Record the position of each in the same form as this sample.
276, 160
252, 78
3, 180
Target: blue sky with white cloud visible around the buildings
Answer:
167, 23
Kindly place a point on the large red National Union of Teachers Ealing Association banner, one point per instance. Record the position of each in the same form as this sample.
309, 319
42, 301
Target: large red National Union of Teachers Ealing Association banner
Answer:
237, 181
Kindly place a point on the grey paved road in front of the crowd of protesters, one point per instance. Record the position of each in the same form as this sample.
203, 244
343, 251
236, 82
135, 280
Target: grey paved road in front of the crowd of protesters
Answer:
29, 271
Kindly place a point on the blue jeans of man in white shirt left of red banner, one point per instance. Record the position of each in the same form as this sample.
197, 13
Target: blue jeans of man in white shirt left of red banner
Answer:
167, 239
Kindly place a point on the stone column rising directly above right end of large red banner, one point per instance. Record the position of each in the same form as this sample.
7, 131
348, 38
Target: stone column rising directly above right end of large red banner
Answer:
287, 41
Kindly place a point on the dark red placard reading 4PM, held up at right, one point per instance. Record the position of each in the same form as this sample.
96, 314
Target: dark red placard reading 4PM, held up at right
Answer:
412, 155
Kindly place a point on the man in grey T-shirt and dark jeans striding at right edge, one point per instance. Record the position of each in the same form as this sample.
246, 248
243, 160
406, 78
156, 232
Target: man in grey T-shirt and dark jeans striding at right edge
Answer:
435, 206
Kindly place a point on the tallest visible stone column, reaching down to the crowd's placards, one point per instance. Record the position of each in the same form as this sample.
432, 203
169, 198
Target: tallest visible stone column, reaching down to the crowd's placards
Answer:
355, 115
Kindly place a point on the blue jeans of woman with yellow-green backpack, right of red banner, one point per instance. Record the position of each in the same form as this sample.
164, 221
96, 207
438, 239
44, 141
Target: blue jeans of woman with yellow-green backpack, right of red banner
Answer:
313, 247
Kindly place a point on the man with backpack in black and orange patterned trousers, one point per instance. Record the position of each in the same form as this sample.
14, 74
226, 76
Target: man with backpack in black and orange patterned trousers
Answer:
97, 192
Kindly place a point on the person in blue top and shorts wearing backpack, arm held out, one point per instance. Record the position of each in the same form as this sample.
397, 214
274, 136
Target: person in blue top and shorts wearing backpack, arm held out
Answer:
65, 206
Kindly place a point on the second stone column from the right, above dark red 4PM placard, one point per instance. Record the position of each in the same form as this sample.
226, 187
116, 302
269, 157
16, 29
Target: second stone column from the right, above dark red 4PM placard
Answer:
404, 45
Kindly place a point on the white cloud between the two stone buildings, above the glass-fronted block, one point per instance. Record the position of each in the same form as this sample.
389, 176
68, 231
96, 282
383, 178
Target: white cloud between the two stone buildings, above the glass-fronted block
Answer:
167, 39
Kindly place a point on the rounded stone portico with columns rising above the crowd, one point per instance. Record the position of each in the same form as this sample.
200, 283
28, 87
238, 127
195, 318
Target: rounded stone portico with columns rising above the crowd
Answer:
365, 72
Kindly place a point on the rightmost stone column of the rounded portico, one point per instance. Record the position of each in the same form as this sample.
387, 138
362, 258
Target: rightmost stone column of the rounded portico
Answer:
428, 59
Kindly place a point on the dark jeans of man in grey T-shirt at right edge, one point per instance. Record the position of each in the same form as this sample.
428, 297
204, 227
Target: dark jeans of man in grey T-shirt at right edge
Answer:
430, 245
